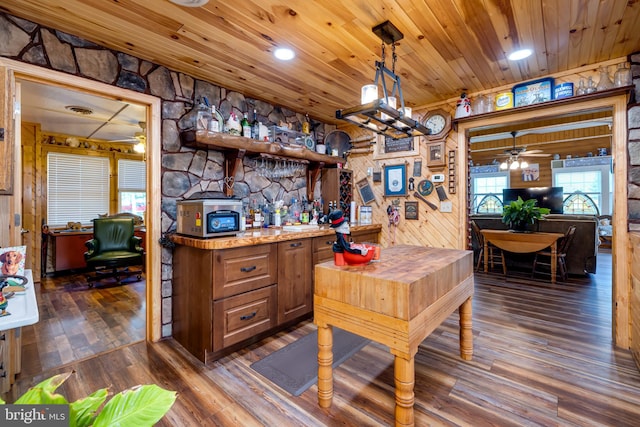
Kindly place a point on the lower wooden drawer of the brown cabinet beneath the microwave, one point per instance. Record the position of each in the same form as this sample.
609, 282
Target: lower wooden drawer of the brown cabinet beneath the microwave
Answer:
241, 317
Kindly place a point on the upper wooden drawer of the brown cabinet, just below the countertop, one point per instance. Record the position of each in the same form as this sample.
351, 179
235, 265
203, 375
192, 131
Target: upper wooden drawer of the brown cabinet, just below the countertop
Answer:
240, 270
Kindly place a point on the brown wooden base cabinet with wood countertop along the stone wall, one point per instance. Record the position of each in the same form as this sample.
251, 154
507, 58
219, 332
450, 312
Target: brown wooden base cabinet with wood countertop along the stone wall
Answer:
231, 291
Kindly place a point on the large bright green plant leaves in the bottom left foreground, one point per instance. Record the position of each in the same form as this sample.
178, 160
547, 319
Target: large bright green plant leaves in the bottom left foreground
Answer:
140, 406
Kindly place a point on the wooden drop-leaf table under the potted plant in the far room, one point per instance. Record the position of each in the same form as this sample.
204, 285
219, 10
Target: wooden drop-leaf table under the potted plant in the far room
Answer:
522, 242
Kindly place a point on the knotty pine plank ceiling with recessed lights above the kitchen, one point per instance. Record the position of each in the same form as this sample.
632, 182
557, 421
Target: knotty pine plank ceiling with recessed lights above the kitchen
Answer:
448, 46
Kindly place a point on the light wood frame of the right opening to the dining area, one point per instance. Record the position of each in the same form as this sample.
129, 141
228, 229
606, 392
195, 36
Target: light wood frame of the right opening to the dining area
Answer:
620, 251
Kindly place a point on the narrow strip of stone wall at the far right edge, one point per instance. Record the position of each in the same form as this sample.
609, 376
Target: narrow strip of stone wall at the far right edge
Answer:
633, 123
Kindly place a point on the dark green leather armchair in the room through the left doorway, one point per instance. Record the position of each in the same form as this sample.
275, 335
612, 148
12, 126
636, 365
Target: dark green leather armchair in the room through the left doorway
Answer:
113, 249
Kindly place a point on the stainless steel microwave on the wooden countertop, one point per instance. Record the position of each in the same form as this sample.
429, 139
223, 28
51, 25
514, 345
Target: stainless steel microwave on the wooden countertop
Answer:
205, 218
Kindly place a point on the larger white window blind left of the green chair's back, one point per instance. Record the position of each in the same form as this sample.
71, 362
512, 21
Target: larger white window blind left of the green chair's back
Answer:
77, 188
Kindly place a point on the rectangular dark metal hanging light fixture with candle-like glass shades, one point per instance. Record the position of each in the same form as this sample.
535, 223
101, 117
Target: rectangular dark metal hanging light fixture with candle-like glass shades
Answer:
387, 114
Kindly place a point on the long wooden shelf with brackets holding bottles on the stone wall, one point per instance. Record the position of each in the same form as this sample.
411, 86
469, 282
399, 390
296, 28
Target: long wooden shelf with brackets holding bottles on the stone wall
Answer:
235, 148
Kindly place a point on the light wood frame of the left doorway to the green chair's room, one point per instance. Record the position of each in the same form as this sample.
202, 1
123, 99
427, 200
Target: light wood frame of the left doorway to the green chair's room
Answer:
153, 223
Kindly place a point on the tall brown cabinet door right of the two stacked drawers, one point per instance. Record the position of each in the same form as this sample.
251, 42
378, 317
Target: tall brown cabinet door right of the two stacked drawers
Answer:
295, 290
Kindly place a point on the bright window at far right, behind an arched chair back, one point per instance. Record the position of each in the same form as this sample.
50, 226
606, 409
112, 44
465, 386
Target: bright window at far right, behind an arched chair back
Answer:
595, 181
